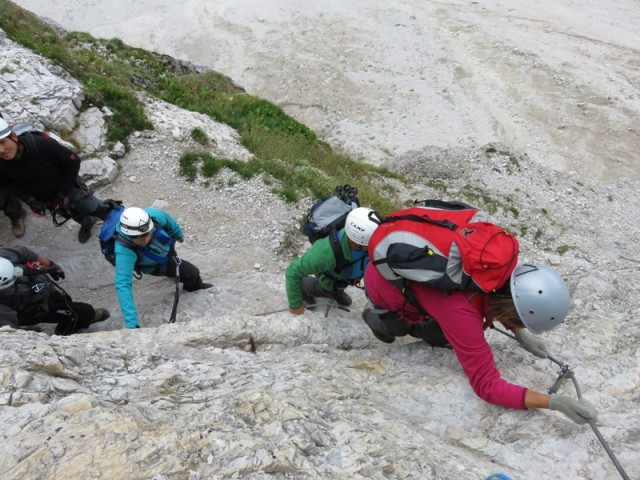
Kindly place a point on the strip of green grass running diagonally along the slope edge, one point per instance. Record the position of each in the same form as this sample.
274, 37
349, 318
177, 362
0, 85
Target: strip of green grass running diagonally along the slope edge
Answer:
114, 74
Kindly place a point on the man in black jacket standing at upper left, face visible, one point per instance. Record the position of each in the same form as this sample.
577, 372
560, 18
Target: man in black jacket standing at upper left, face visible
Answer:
44, 174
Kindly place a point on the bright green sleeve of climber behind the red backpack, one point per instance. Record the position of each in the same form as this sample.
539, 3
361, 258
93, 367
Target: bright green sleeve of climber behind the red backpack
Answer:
318, 259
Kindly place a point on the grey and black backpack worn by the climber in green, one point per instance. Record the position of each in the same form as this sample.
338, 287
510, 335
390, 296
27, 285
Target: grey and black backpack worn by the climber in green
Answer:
327, 217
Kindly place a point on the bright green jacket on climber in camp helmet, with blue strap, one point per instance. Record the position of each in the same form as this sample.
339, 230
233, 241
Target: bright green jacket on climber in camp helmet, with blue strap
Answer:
321, 261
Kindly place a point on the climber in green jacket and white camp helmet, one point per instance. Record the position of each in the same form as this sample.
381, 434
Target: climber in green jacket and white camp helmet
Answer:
313, 274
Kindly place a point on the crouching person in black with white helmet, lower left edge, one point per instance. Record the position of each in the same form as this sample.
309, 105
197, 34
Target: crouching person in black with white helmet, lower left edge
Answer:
29, 295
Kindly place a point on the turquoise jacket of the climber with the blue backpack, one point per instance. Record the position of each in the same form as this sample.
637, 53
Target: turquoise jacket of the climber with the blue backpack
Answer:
165, 232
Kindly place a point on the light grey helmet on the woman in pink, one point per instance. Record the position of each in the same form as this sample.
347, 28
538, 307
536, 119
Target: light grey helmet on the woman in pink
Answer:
541, 297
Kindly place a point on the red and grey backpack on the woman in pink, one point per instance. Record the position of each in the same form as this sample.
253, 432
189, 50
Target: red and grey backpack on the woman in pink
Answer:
448, 245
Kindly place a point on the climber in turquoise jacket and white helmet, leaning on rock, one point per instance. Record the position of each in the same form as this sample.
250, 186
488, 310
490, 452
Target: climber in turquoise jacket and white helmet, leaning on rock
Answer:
146, 241
